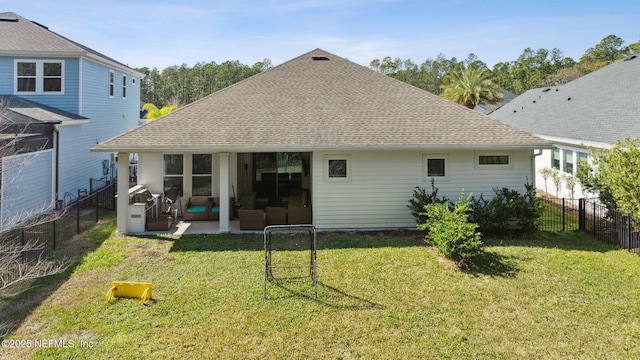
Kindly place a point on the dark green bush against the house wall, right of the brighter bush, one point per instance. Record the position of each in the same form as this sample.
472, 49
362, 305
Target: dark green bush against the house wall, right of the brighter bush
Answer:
508, 210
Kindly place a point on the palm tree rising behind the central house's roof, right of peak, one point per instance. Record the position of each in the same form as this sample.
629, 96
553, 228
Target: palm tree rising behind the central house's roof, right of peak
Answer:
470, 86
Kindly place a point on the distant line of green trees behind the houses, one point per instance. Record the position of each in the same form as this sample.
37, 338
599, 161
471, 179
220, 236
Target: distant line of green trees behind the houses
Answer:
180, 85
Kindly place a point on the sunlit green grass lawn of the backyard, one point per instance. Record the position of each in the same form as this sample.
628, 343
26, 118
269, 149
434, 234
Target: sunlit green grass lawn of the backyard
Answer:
552, 296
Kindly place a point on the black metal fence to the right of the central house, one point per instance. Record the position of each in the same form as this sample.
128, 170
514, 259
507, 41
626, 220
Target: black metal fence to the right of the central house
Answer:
610, 226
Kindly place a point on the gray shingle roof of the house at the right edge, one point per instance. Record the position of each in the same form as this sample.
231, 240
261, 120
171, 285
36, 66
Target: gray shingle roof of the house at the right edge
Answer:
601, 107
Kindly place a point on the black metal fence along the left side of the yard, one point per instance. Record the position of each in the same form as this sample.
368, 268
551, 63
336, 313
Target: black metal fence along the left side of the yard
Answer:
51, 231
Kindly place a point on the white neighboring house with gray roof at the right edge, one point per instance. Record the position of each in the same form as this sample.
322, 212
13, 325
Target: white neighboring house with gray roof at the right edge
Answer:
592, 111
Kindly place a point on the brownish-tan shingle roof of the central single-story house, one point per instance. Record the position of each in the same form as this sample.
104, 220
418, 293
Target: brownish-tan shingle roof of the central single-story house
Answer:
307, 104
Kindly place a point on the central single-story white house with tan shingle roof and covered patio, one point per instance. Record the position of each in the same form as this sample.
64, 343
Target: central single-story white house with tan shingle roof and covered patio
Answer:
353, 142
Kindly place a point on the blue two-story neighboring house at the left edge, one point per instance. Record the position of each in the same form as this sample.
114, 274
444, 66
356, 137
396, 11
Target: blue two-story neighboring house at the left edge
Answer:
74, 98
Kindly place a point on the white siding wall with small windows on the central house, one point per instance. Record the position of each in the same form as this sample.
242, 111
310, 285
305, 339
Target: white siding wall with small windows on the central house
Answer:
383, 182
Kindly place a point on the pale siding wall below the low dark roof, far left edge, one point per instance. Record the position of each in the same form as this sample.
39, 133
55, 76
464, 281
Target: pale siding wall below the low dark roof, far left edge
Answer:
27, 185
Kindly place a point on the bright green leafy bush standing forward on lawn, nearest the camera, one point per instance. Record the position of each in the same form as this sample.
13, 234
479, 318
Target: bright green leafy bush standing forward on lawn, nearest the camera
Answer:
450, 231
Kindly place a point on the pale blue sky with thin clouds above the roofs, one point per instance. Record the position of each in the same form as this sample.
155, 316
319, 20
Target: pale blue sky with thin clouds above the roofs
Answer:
163, 33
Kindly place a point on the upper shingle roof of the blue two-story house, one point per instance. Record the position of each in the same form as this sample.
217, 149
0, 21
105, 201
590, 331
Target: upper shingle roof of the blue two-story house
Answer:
19, 36
